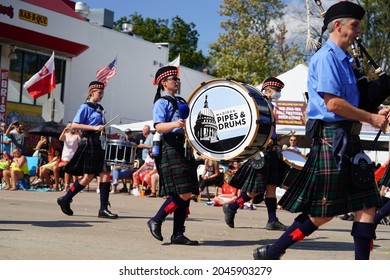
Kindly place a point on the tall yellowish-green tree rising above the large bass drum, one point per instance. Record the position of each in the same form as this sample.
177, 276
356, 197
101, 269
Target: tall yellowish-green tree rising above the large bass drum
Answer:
254, 45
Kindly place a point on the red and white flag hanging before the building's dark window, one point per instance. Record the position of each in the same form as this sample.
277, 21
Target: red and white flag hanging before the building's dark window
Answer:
42, 82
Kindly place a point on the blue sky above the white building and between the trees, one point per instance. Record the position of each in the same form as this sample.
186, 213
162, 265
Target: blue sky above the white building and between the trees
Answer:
203, 13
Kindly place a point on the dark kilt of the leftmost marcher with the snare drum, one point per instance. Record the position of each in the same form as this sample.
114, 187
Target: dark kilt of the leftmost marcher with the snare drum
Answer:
88, 158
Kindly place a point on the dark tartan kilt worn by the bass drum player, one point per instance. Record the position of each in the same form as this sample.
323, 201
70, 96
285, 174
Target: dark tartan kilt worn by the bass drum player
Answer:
177, 173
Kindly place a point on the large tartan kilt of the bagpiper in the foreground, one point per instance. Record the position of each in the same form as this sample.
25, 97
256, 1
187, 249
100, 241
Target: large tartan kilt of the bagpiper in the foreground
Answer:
321, 190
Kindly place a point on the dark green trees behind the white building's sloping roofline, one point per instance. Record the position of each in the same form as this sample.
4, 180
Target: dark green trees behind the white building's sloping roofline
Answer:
182, 37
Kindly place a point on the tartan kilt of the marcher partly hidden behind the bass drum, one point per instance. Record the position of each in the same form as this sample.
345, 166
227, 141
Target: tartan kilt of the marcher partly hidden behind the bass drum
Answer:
252, 180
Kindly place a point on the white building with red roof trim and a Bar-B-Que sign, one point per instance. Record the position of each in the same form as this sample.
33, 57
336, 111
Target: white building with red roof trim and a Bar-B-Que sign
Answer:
35, 28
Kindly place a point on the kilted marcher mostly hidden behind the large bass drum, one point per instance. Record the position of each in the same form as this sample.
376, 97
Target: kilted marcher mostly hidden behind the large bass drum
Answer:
253, 180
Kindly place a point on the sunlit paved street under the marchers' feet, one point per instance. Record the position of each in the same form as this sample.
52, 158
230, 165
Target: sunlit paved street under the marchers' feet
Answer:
32, 227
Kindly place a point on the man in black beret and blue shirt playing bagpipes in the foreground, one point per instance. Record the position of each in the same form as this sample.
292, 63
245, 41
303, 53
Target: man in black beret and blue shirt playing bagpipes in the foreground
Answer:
325, 187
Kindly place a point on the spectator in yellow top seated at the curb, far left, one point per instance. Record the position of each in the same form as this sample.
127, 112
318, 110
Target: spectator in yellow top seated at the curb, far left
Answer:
18, 170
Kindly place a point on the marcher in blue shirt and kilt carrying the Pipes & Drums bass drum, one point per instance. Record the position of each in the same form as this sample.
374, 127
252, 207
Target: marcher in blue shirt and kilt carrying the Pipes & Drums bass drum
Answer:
177, 175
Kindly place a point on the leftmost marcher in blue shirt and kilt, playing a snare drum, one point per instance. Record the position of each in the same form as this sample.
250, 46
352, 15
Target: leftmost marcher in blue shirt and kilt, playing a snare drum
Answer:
88, 160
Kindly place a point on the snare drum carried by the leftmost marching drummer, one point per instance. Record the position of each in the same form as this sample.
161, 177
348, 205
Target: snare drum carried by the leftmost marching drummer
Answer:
118, 152
